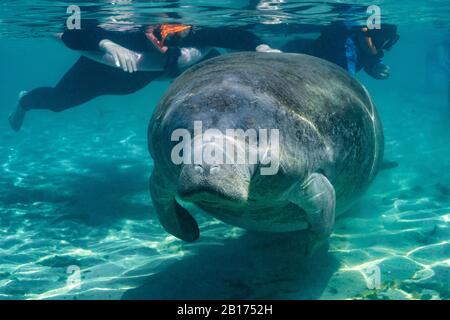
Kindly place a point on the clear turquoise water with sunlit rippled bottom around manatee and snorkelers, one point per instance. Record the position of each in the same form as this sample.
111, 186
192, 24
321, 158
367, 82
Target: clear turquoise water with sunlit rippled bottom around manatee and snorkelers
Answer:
74, 185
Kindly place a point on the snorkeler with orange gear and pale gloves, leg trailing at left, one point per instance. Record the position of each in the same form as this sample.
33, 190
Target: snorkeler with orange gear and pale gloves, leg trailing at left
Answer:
92, 77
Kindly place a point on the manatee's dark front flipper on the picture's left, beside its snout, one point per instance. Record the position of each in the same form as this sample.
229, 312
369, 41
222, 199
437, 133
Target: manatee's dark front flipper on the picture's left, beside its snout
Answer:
174, 218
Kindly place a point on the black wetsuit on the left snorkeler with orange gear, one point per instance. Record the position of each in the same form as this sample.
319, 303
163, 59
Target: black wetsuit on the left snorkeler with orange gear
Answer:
88, 79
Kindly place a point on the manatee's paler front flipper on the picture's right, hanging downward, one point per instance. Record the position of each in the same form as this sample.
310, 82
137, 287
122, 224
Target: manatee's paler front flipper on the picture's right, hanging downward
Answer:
317, 197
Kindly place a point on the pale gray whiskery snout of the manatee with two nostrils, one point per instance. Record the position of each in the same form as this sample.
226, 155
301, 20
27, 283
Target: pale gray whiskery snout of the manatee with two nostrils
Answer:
214, 183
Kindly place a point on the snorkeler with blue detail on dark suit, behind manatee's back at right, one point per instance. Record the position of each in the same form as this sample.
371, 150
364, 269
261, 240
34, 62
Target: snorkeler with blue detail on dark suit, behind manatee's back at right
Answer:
351, 47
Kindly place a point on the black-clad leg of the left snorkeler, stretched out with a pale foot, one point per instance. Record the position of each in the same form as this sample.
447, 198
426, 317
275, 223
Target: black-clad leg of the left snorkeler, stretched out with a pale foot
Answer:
85, 81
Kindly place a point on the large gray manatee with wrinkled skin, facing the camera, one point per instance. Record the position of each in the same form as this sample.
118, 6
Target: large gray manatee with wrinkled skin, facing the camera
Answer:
331, 144
